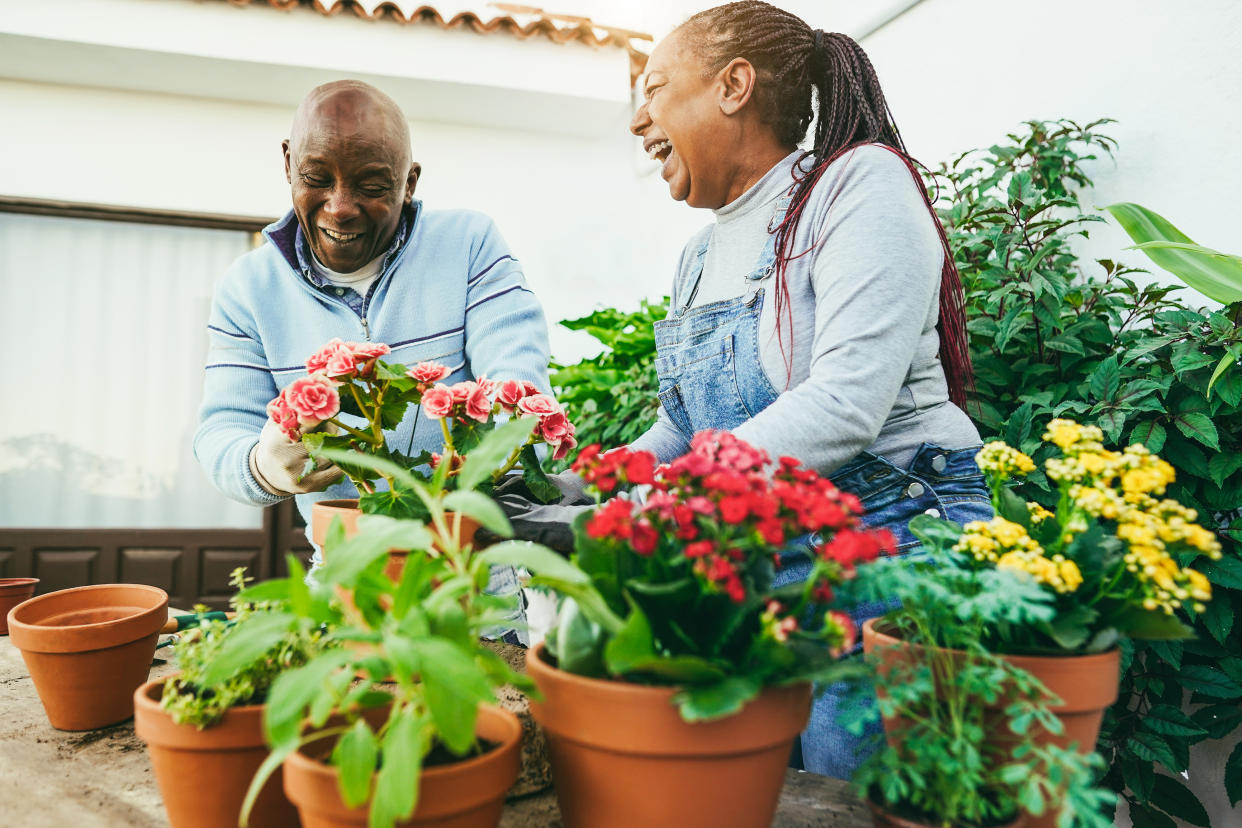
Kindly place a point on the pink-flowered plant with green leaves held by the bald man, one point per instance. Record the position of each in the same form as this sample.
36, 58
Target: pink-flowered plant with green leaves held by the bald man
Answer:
351, 395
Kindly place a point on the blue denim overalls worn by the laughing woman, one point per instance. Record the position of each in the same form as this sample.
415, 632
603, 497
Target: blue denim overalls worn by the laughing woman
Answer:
712, 377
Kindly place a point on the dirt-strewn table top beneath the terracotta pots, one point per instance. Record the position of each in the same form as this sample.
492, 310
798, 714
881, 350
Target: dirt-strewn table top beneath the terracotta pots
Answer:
50, 779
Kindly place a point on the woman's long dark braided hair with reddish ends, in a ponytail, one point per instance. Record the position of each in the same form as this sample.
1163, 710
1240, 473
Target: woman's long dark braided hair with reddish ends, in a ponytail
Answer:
792, 61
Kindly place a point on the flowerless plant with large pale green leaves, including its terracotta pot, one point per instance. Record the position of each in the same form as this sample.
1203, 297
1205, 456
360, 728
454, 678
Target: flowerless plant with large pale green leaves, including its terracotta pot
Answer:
399, 726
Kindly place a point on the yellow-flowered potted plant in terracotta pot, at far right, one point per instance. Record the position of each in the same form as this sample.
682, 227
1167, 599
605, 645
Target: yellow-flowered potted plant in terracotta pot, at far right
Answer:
1111, 562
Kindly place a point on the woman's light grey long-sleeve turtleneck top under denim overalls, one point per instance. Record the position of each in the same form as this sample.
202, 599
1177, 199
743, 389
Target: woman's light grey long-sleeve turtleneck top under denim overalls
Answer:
865, 373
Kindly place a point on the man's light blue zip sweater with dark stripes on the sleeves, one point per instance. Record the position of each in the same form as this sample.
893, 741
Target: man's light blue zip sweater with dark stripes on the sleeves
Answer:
450, 292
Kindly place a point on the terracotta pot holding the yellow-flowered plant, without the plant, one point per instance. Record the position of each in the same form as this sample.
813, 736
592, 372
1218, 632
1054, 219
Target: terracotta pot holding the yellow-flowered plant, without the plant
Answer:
1086, 685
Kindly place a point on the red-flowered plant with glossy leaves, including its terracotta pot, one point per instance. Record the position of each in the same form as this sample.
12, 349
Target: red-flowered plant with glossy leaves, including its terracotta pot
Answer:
676, 666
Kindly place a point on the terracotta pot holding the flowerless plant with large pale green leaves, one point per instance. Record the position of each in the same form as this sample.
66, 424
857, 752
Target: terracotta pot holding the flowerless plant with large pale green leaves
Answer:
463, 795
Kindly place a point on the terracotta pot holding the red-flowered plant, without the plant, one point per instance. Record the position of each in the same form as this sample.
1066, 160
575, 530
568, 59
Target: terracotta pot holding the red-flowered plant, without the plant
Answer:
623, 757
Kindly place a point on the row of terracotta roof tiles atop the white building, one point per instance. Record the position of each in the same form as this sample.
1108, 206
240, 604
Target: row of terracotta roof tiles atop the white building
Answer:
485, 18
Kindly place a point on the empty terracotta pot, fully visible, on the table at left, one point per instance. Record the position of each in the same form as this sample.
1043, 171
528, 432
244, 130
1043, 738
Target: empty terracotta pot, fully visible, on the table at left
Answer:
89, 649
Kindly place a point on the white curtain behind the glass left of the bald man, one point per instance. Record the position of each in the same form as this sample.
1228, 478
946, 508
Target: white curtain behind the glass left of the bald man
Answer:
102, 330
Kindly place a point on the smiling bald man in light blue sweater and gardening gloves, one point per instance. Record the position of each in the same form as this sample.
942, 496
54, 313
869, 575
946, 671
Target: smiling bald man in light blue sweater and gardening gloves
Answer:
357, 258
